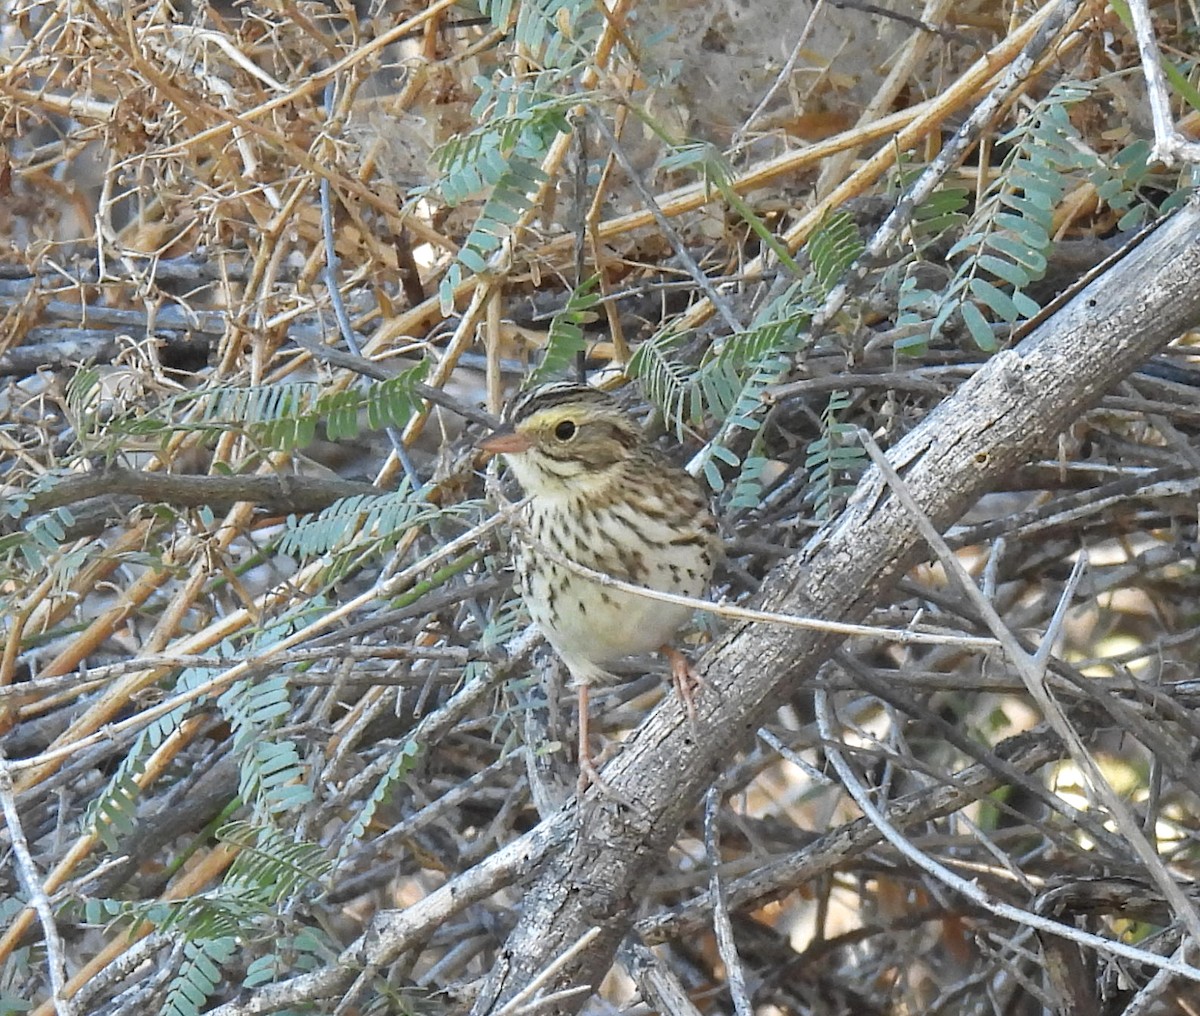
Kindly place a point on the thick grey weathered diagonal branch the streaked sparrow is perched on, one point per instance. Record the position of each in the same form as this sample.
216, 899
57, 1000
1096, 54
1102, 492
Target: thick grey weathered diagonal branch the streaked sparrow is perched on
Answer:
1009, 413
